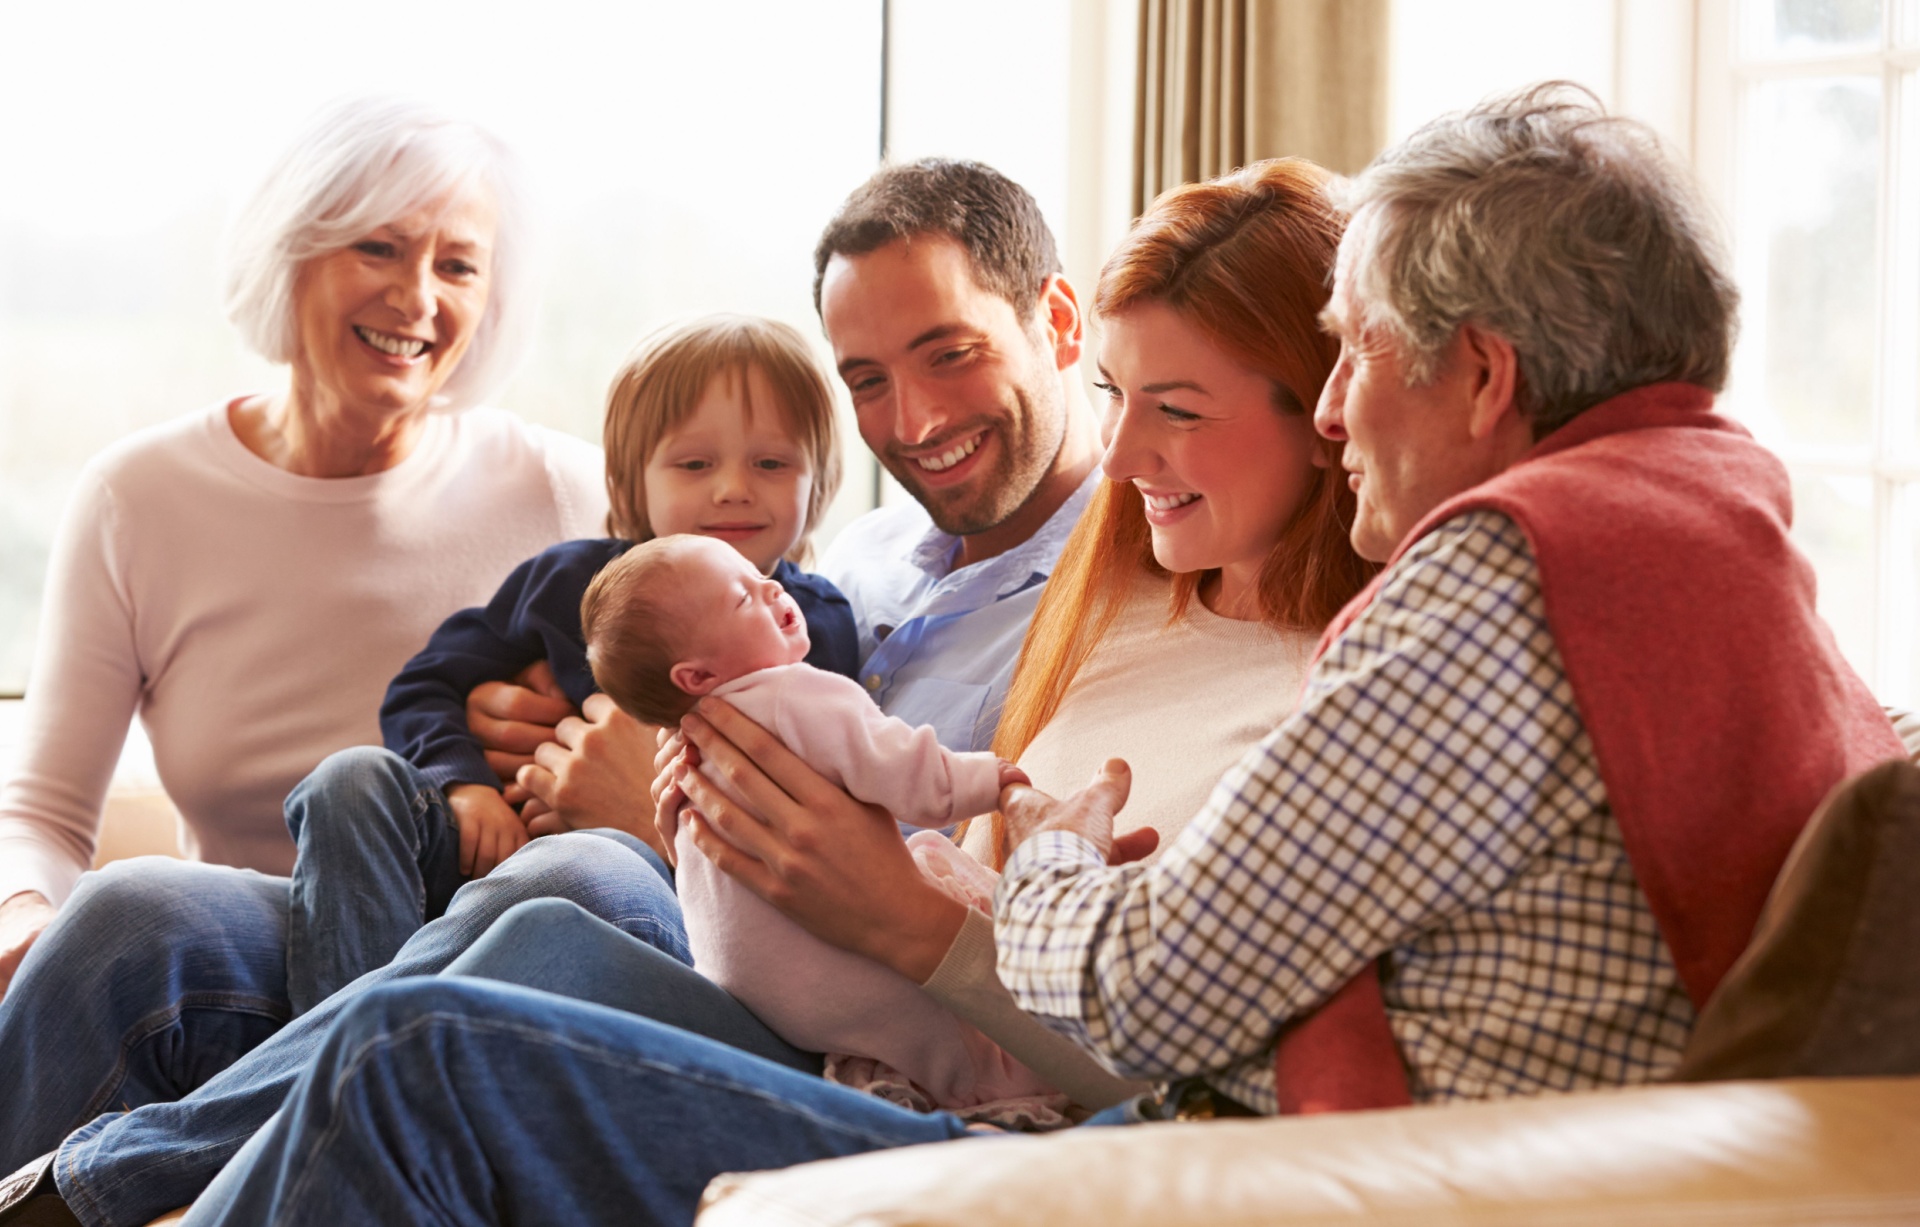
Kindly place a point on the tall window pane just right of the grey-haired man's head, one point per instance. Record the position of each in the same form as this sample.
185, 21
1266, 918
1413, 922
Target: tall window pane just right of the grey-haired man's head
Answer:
1808, 260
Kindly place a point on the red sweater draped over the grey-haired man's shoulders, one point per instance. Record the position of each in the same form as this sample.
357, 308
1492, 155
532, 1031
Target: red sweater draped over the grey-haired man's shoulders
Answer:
1717, 702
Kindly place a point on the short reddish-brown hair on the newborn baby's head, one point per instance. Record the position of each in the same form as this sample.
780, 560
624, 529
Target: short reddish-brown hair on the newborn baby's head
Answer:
627, 619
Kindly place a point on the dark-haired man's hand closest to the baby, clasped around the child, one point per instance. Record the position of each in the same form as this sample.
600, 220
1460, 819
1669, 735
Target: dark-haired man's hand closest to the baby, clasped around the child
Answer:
594, 773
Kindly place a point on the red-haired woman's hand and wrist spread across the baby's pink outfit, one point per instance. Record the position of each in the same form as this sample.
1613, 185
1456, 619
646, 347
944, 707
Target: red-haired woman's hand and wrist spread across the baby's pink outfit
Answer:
832, 865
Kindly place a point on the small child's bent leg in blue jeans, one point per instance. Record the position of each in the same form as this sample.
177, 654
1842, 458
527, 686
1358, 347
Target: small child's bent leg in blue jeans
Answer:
379, 857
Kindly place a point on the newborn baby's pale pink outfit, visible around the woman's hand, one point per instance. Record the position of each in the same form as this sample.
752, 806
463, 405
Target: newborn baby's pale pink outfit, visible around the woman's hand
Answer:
821, 998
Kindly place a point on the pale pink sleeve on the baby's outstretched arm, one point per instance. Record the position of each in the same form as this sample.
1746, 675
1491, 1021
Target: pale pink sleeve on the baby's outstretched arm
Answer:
834, 725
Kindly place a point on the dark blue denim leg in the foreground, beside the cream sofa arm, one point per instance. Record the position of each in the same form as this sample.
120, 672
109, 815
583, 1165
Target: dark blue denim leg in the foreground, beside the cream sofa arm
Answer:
464, 1101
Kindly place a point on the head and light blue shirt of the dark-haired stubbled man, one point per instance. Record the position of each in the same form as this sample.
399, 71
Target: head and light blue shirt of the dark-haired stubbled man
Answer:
942, 295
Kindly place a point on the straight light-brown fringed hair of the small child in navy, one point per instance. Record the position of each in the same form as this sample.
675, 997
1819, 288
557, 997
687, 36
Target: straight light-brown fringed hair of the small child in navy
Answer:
663, 383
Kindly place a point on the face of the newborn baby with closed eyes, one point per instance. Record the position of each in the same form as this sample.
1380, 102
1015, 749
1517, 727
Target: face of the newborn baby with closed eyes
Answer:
738, 621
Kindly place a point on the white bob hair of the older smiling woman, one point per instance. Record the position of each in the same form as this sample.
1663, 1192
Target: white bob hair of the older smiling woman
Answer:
364, 164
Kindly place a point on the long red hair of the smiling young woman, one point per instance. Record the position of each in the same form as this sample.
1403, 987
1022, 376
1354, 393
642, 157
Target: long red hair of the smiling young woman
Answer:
1245, 258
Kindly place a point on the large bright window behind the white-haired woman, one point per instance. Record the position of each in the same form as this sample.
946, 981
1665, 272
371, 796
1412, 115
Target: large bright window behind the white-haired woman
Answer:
681, 168
